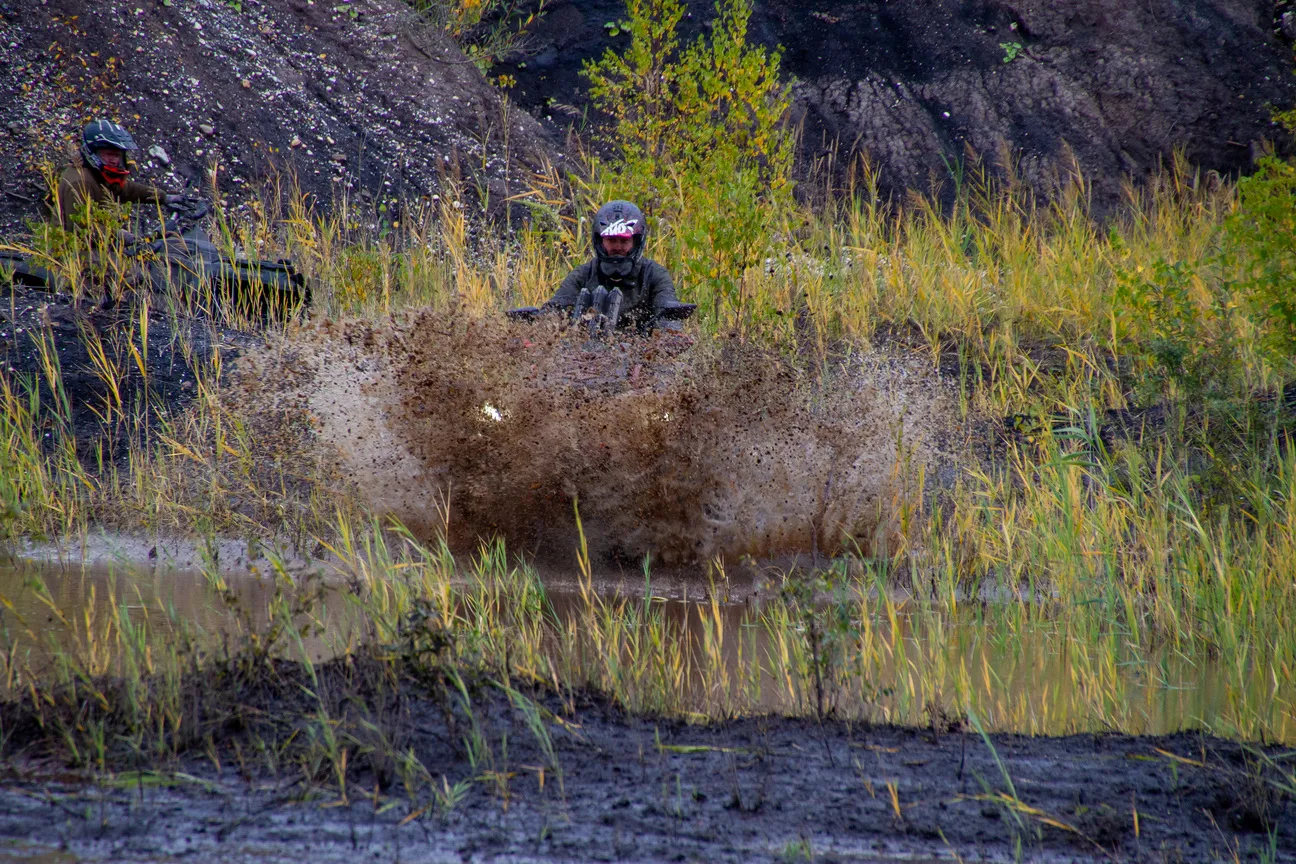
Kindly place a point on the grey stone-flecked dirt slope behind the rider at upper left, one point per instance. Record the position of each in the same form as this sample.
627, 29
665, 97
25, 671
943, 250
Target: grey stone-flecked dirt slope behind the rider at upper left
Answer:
379, 106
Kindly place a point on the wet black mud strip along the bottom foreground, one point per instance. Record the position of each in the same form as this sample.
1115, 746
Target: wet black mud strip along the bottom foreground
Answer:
751, 791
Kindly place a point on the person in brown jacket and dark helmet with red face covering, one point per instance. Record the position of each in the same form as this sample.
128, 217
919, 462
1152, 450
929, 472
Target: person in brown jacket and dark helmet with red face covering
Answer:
104, 174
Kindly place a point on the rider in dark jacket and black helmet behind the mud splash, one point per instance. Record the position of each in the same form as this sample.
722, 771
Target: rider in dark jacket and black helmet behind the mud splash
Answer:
646, 288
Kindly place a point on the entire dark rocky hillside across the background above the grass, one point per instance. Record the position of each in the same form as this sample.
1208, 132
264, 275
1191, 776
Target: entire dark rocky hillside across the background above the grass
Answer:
356, 97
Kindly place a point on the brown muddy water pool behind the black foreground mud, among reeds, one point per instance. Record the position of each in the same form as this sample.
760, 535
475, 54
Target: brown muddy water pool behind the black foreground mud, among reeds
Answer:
1032, 681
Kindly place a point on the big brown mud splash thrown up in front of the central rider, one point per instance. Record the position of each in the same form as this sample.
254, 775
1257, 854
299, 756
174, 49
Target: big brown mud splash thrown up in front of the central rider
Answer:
676, 449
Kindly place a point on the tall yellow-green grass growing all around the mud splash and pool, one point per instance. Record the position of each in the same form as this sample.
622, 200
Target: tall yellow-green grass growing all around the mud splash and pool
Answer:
1113, 578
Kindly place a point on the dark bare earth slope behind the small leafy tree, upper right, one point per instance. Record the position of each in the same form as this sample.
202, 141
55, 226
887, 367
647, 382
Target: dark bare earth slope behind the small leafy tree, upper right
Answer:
916, 84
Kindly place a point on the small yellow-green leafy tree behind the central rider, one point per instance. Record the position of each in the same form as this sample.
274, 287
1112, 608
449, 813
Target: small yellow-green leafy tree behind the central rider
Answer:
702, 141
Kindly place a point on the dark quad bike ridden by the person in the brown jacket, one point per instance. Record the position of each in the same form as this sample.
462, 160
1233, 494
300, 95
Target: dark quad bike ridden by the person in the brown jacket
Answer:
181, 261
